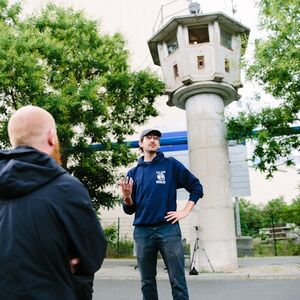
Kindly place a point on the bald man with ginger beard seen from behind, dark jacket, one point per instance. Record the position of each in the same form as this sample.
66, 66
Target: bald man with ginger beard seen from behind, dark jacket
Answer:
51, 242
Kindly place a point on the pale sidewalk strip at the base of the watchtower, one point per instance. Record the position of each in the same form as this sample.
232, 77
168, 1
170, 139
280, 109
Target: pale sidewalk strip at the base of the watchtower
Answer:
280, 267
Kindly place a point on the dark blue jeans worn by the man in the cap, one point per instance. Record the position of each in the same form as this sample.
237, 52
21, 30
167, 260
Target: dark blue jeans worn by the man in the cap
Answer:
166, 239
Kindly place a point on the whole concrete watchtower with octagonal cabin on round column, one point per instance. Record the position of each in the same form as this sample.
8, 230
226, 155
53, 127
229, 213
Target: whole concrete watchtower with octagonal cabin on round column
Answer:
200, 60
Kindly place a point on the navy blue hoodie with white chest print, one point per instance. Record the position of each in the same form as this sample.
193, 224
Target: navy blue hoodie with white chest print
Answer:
154, 188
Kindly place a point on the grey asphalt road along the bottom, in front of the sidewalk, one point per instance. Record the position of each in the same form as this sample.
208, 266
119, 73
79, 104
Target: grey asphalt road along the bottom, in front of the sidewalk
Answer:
228, 289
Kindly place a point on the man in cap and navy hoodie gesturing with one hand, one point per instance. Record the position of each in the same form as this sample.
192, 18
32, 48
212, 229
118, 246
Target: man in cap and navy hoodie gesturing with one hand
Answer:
149, 192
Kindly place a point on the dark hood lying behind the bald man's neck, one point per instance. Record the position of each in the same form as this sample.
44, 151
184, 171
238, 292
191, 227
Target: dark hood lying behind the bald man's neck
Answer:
25, 169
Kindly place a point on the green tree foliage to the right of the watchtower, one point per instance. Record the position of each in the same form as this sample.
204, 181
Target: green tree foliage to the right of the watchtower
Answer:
276, 68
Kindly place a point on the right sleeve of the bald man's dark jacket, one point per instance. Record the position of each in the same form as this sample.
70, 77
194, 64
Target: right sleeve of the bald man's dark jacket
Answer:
82, 227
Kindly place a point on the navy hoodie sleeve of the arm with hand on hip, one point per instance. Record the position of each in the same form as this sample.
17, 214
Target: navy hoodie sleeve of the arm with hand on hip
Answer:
186, 180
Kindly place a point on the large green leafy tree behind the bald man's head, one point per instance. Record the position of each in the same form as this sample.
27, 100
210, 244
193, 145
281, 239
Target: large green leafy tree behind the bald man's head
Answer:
60, 61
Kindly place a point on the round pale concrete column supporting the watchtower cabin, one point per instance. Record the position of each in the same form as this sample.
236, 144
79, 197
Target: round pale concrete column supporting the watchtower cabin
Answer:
209, 161
